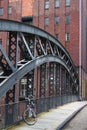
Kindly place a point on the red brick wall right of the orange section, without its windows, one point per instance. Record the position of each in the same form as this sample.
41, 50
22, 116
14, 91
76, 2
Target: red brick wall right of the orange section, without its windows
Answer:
73, 28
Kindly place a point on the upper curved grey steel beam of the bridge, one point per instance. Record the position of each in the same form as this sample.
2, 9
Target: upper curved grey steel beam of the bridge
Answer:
9, 25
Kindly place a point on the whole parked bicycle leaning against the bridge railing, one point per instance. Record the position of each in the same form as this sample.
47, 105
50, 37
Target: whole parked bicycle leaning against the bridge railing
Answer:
29, 114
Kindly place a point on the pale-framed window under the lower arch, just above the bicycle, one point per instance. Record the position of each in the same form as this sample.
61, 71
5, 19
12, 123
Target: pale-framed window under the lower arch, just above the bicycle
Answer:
23, 87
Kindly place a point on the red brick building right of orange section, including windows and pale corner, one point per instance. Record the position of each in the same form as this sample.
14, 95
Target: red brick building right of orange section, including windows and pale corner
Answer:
66, 20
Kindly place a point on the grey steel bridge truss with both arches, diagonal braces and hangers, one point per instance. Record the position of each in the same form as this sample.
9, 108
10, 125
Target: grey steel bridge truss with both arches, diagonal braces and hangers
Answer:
37, 47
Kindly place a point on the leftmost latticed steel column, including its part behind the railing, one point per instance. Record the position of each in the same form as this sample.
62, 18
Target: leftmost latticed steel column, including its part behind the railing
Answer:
10, 95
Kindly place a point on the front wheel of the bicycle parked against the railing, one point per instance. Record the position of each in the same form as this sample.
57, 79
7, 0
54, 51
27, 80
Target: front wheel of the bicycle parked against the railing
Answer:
29, 116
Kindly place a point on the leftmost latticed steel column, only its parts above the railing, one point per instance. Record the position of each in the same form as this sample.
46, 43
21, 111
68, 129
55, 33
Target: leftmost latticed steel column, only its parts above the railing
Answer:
13, 55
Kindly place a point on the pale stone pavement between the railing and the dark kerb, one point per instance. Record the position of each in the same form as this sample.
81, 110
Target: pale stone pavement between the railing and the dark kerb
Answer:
55, 119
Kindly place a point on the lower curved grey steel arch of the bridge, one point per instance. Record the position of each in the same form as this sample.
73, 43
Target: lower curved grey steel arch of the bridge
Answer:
12, 79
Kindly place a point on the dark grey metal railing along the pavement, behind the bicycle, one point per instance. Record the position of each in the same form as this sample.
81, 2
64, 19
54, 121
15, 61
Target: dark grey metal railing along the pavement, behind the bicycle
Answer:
42, 105
